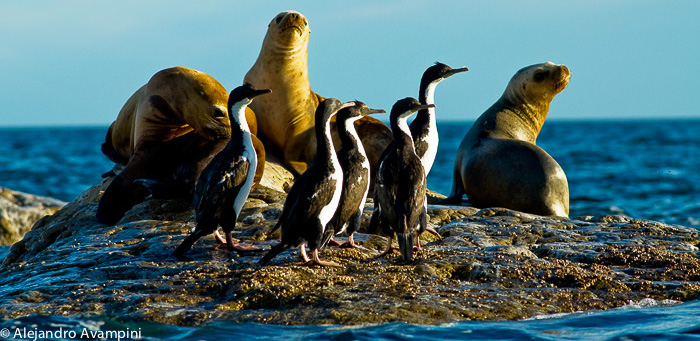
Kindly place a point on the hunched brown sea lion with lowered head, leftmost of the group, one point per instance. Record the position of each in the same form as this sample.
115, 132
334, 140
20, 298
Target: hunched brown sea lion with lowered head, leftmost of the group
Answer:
167, 132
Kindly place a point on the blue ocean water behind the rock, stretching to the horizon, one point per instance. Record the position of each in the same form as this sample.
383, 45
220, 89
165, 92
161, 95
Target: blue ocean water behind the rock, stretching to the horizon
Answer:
643, 169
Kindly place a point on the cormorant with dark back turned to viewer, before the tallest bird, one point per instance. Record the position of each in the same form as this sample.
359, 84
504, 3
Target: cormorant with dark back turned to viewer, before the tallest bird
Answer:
400, 184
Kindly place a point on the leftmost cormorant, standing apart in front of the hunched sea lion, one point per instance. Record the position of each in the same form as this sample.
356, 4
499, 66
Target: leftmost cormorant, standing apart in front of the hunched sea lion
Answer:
225, 183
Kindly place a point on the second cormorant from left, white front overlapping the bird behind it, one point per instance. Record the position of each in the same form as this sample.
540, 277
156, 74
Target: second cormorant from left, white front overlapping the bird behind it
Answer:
314, 197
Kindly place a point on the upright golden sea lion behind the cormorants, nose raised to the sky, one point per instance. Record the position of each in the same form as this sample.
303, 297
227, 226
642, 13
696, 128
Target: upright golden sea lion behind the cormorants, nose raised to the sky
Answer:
286, 116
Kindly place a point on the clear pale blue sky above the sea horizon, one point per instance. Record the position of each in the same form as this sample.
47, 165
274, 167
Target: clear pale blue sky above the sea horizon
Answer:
75, 63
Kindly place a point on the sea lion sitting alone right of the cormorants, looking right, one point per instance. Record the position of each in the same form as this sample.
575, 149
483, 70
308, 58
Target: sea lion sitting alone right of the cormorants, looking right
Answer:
498, 163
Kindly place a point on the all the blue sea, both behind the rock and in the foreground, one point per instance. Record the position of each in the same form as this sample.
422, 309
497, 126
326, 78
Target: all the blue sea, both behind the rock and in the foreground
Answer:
642, 169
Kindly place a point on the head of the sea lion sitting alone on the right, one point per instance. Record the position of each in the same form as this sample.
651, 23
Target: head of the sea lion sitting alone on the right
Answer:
538, 84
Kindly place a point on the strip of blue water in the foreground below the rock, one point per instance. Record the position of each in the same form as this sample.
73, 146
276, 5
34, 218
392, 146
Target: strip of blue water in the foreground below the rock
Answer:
633, 322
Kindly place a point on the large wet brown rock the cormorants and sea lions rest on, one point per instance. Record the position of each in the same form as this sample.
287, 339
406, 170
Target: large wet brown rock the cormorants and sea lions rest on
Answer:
490, 264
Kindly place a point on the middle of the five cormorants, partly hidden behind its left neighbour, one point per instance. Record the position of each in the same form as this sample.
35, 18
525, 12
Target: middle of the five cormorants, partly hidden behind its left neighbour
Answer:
356, 174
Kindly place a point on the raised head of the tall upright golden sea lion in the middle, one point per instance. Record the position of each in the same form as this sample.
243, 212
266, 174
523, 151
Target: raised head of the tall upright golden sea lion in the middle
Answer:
288, 30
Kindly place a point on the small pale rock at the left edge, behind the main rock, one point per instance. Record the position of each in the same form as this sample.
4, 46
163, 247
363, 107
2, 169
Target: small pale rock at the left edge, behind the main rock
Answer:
19, 211
